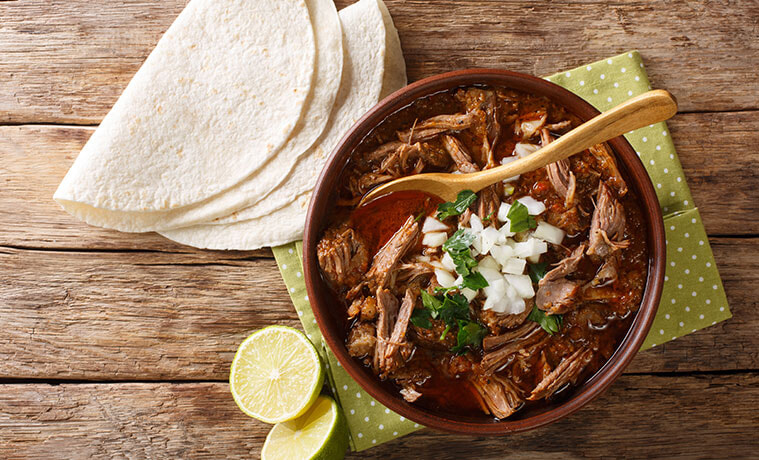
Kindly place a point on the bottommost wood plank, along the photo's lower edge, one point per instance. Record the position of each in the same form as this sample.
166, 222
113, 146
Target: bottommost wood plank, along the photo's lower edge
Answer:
640, 417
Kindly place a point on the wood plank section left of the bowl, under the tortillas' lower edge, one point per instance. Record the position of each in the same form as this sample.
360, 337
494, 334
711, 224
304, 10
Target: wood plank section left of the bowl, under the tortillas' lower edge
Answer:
33, 160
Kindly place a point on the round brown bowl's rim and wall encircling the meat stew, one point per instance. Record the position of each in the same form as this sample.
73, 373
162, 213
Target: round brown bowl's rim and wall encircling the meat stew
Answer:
330, 313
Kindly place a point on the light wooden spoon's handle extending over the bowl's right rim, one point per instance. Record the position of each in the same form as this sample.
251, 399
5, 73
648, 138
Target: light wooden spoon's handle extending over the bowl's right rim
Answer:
637, 112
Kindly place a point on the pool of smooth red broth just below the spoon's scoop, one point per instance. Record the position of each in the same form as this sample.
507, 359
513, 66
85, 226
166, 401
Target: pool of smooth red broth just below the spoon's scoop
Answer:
378, 220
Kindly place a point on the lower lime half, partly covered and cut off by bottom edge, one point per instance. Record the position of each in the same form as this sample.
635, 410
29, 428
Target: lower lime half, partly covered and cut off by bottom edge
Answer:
320, 434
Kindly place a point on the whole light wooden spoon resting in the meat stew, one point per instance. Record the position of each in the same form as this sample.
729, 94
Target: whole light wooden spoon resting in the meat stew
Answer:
637, 112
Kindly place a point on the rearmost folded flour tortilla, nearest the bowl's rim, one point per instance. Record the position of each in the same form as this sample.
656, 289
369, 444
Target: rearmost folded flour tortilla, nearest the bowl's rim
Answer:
364, 32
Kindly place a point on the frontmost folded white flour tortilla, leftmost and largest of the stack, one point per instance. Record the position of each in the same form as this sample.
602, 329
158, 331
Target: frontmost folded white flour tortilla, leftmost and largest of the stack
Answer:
216, 99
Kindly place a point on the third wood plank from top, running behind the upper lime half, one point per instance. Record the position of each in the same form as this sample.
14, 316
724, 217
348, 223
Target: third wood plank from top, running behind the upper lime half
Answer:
121, 316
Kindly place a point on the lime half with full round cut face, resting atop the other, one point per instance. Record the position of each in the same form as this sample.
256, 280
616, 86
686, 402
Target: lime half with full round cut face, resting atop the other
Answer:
276, 374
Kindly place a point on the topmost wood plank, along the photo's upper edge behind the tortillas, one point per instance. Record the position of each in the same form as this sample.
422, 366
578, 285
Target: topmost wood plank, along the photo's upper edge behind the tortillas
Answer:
69, 63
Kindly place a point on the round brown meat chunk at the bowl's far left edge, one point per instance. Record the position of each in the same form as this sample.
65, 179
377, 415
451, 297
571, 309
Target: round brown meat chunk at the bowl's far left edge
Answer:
342, 256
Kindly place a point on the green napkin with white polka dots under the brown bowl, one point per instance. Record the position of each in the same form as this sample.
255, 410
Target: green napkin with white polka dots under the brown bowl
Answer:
693, 297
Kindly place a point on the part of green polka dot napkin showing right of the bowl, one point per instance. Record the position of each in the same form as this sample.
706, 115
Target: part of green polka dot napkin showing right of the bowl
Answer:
693, 297
